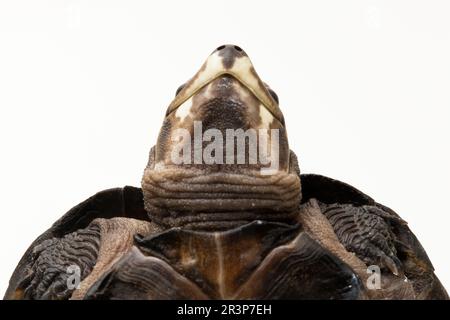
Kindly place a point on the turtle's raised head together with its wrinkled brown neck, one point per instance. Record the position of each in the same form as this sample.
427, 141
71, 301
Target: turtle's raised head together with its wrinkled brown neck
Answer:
222, 156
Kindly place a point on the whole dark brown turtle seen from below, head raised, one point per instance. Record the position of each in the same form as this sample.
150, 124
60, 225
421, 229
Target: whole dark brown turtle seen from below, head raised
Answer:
210, 222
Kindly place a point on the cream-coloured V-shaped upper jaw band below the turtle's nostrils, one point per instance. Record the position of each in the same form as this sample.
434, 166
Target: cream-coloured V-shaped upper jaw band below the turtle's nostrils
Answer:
242, 69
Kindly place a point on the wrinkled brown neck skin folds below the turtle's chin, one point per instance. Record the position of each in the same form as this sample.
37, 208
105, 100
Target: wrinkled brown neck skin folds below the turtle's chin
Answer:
202, 198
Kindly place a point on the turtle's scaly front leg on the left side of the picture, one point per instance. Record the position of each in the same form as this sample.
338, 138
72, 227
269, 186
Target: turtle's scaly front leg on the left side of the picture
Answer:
65, 268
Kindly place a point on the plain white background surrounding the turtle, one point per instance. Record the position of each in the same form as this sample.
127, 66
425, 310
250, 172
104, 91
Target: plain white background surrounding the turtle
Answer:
364, 87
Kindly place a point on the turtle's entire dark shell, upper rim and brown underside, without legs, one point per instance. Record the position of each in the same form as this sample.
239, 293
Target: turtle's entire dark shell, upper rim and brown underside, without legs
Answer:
260, 260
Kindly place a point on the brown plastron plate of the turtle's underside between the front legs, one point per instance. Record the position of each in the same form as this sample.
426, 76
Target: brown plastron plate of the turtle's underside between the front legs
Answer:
260, 260
